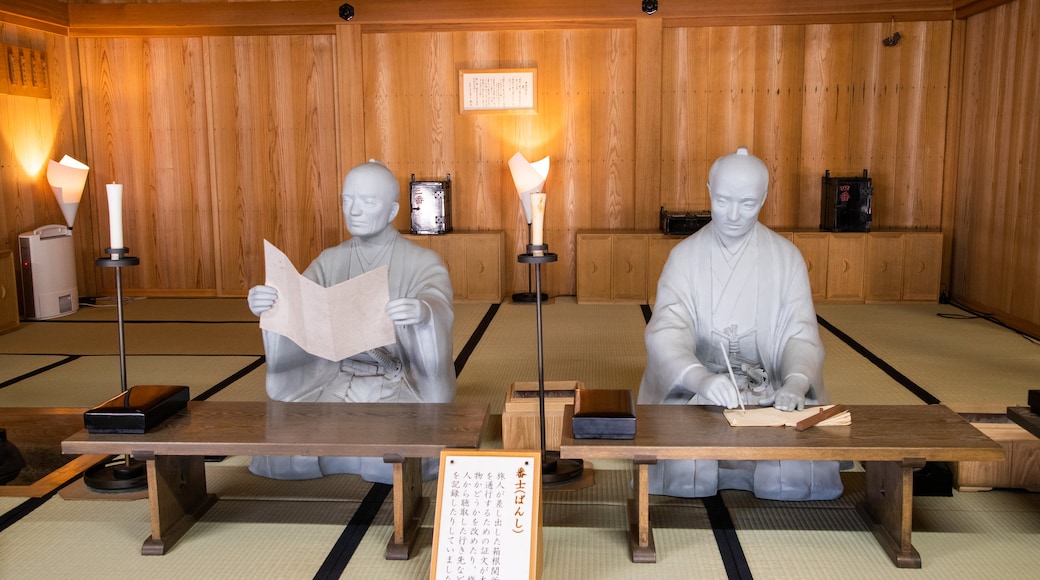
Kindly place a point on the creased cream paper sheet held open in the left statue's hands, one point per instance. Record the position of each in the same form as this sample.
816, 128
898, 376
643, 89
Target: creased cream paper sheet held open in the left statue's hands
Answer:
334, 323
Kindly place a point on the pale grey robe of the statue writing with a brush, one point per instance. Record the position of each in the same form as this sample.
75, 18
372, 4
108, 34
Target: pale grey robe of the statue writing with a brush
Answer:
760, 305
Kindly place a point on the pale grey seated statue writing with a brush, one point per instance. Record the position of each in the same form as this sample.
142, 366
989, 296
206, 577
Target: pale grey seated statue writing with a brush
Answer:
736, 285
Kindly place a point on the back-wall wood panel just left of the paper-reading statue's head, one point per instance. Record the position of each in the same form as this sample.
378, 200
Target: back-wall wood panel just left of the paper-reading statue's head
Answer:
276, 172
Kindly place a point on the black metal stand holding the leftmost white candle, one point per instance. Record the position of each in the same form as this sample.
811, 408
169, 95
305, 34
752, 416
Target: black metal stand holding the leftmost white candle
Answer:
127, 474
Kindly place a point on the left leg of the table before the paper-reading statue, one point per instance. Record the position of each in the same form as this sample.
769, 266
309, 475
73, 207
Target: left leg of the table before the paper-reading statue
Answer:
177, 499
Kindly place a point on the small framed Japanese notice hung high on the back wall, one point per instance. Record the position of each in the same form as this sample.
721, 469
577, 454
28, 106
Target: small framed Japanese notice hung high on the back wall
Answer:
498, 91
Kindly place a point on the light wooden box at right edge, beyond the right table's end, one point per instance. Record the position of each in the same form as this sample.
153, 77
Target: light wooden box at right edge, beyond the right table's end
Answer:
1021, 468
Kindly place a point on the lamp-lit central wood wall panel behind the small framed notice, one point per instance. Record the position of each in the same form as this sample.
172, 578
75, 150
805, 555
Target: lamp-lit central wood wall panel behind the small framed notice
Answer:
584, 123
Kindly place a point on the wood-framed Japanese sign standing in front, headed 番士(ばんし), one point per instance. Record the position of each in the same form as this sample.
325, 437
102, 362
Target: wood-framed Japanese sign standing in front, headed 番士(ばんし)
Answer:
489, 516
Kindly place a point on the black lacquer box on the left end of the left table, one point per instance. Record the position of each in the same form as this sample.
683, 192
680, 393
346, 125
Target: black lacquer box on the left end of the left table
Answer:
138, 410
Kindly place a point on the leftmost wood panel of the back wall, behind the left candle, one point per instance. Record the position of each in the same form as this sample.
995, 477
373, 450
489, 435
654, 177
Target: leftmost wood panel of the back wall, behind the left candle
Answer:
145, 107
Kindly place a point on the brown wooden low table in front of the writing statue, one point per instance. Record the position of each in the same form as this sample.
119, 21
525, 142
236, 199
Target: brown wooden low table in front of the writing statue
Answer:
891, 440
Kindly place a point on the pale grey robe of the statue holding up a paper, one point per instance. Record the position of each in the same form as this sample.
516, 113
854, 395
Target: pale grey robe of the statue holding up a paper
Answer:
424, 351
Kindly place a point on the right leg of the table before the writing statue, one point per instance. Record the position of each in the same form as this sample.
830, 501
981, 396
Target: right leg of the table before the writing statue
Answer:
889, 509
